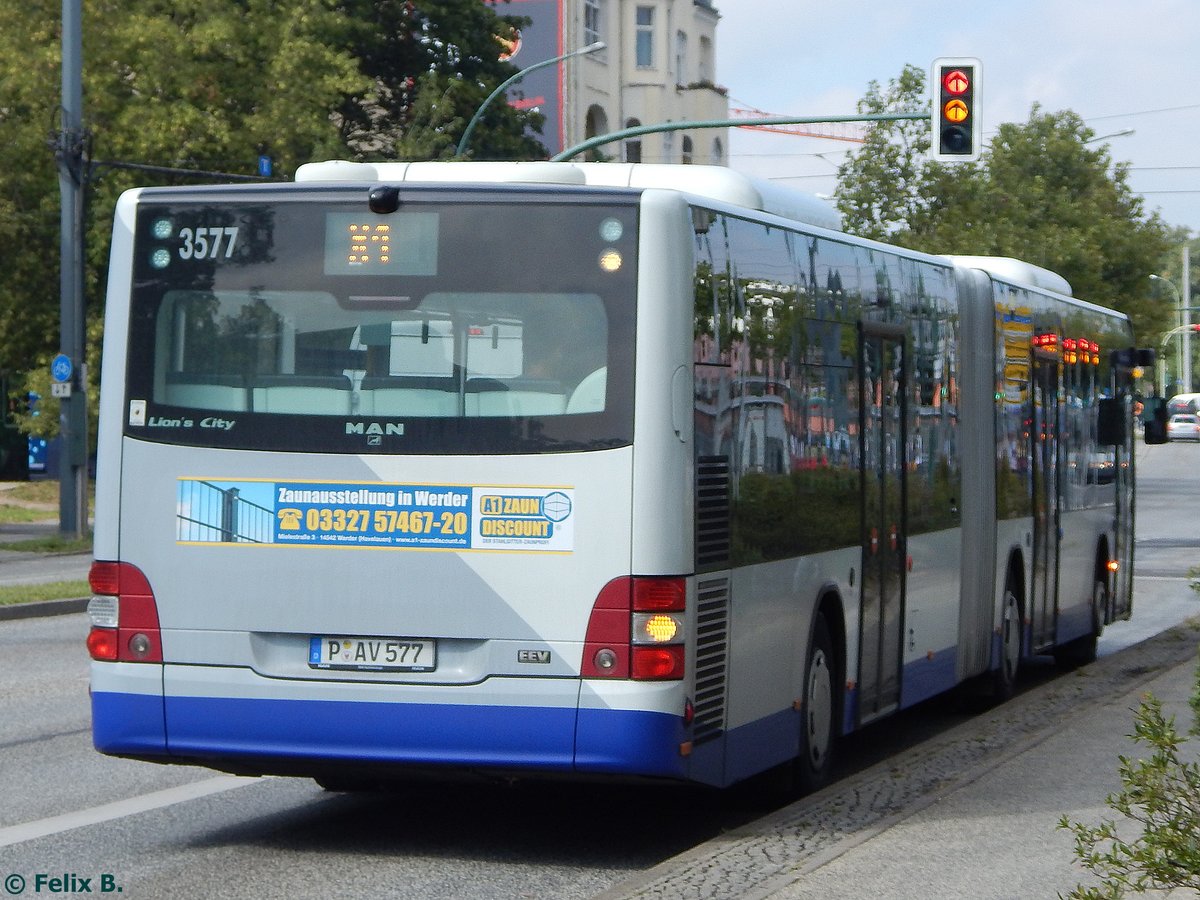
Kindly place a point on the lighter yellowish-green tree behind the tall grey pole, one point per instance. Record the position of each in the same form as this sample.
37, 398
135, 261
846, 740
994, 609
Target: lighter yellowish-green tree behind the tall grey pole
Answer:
183, 85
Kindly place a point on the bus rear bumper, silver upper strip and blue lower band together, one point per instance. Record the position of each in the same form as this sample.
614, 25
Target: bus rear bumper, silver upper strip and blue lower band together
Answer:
505, 724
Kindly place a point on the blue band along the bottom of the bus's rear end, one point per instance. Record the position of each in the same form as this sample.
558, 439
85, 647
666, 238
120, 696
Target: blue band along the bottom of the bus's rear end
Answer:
610, 741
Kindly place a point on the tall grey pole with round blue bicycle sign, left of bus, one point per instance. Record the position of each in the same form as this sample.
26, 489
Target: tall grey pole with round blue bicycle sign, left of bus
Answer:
70, 370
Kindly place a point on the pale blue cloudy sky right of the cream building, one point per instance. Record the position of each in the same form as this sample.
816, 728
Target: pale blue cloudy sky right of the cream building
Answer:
1119, 64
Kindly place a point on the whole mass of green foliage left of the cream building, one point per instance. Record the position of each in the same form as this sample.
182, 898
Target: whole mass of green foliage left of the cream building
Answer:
208, 87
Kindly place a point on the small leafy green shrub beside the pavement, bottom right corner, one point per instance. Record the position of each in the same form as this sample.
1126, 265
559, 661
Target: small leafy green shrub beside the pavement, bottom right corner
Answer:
1160, 796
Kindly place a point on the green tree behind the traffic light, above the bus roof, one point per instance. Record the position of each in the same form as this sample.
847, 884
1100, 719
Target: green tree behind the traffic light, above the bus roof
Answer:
1040, 193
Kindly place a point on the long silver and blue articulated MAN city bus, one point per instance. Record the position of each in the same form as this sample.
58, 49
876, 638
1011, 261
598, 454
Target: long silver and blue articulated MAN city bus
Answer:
580, 470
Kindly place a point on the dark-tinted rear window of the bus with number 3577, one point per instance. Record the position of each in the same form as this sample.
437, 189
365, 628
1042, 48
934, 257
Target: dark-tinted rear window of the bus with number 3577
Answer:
518, 340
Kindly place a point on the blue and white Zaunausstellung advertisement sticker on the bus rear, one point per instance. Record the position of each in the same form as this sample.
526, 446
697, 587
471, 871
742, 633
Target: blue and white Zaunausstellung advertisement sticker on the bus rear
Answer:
397, 517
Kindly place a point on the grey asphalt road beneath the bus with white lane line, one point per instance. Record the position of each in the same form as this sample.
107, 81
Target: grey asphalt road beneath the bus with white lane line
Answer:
181, 832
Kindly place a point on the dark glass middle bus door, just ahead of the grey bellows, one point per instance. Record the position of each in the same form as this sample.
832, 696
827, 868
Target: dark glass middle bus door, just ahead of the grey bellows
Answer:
1045, 433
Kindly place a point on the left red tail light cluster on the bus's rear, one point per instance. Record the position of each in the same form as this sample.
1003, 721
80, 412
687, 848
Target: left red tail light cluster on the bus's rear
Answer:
124, 615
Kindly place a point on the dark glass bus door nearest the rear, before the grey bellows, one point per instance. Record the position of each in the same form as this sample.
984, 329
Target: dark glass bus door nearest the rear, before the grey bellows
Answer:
884, 377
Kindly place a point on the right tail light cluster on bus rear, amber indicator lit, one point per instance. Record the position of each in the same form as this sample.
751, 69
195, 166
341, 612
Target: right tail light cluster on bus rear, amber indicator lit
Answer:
638, 631
